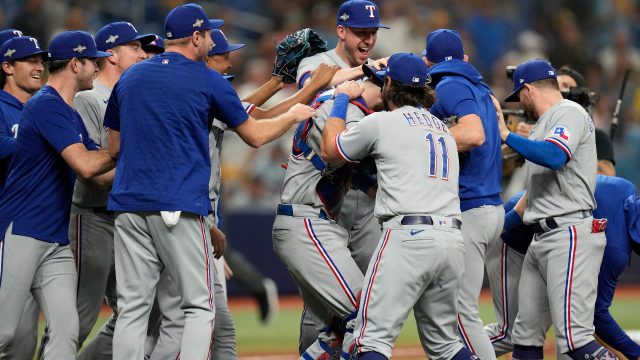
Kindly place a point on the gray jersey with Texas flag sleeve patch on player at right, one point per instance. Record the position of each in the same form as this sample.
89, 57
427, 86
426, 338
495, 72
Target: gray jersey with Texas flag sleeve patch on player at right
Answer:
571, 189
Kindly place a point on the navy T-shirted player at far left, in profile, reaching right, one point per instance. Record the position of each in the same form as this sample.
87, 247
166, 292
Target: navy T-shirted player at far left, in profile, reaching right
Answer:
52, 148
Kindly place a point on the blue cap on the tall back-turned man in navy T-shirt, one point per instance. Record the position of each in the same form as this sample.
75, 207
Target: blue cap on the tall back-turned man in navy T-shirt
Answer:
183, 20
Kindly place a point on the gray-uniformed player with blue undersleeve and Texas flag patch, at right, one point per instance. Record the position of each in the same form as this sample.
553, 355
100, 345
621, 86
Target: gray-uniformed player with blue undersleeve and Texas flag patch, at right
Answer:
566, 251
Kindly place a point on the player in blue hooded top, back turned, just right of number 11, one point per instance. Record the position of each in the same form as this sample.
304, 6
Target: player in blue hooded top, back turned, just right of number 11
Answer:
464, 99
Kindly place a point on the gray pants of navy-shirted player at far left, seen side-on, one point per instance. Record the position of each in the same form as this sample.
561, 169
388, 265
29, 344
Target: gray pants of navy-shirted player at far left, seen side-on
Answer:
47, 271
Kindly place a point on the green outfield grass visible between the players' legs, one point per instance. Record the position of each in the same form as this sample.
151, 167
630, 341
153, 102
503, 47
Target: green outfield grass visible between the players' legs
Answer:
281, 336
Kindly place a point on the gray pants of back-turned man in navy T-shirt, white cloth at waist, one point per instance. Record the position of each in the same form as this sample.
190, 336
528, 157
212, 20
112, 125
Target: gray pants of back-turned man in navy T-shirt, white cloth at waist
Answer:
144, 245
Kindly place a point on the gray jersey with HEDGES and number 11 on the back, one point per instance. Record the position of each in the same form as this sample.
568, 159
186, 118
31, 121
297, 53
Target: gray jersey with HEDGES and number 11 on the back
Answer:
380, 134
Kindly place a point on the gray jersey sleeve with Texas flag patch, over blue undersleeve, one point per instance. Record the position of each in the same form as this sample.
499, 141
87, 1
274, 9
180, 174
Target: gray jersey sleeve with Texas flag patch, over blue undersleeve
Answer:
566, 128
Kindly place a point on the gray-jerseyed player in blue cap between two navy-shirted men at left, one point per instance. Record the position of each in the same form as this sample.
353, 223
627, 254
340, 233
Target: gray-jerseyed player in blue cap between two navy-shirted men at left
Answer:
91, 225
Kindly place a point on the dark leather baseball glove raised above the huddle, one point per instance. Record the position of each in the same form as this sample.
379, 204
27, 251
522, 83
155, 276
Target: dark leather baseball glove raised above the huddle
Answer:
292, 49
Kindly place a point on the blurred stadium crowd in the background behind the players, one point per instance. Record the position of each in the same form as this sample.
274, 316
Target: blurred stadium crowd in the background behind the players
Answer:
599, 38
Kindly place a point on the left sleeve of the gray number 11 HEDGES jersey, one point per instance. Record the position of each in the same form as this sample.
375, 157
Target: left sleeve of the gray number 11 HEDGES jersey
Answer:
358, 141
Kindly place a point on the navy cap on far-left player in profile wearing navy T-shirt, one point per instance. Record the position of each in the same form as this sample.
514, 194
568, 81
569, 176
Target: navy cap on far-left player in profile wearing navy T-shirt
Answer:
74, 43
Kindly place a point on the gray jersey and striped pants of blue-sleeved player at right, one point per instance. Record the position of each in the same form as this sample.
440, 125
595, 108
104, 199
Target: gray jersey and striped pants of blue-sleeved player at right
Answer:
560, 271
